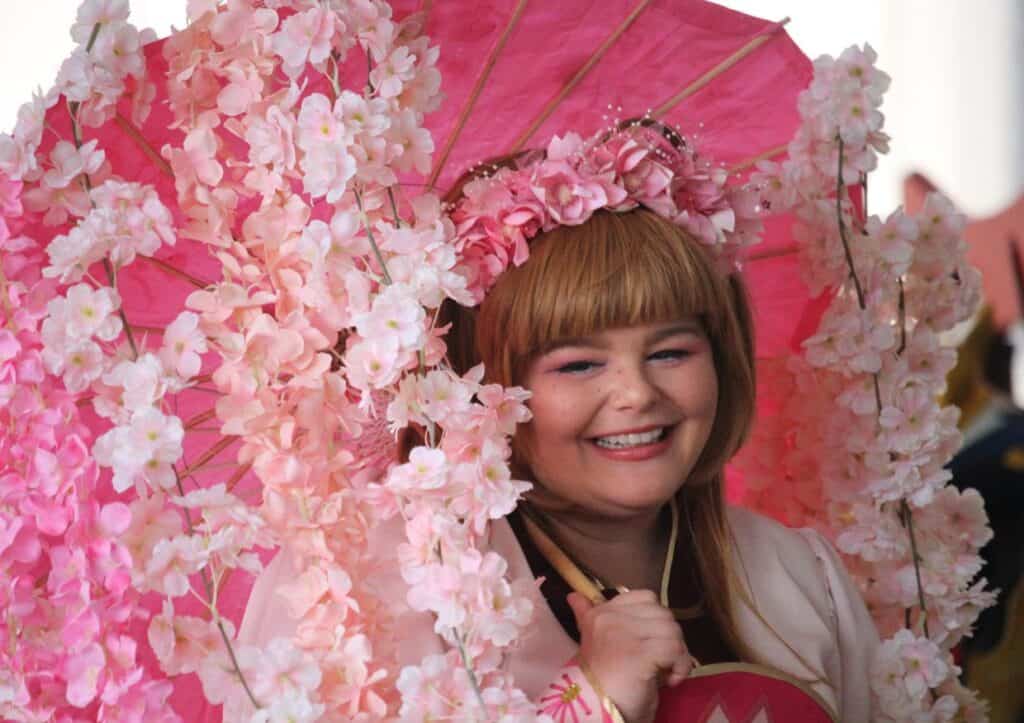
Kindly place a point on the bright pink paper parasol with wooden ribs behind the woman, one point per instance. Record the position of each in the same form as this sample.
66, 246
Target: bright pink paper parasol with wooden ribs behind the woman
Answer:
515, 74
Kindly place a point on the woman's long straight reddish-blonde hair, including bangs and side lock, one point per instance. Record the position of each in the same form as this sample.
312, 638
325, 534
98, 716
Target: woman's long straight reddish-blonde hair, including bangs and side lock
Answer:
619, 270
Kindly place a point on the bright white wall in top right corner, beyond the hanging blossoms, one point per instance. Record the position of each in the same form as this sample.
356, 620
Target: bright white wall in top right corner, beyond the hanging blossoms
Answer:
957, 105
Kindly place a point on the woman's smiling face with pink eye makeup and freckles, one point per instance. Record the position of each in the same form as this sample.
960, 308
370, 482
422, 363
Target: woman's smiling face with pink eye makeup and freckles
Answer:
621, 417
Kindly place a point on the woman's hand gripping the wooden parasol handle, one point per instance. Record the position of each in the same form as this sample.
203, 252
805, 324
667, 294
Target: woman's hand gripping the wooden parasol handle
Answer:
633, 646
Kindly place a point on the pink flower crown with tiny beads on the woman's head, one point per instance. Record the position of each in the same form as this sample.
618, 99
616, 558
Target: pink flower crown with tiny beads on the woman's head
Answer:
642, 164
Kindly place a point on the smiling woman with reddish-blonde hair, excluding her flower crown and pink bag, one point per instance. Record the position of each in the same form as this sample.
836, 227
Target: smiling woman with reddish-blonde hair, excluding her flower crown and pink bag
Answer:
638, 354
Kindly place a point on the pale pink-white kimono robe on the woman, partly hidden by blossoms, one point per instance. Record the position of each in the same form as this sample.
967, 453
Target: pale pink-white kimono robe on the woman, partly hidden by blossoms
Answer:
809, 621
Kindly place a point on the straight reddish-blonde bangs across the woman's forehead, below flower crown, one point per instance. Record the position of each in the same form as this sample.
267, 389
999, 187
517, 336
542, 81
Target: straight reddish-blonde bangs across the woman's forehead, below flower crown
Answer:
618, 270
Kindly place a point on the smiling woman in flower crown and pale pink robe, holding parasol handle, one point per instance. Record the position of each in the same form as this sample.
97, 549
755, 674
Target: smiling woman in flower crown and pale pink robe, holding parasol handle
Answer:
635, 343
